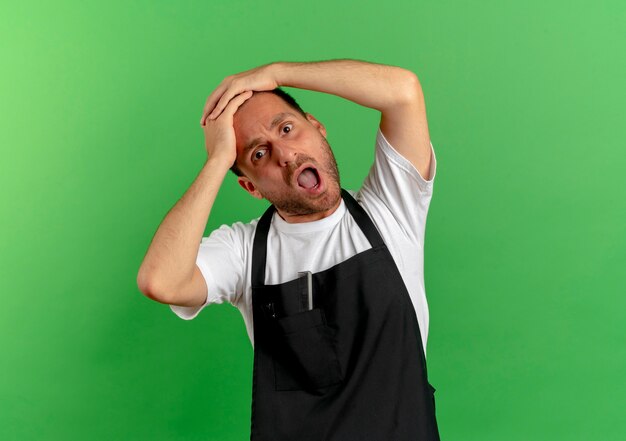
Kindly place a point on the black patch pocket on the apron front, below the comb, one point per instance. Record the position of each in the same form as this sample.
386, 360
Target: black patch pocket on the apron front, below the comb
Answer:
304, 356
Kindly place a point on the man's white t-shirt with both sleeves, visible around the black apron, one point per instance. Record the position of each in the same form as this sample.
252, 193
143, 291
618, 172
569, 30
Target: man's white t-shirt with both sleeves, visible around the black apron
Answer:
394, 195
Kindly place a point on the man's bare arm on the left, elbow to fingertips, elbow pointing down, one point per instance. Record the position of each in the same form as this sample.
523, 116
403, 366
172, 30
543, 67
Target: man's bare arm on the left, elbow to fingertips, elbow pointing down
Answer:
168, 273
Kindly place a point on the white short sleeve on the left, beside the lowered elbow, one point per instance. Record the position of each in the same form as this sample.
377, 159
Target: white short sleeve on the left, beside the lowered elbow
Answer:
221, 262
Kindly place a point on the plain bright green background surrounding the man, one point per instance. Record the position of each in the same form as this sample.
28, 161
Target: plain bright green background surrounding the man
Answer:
525, 242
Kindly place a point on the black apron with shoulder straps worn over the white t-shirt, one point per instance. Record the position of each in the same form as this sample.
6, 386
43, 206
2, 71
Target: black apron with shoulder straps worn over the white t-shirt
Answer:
348, 367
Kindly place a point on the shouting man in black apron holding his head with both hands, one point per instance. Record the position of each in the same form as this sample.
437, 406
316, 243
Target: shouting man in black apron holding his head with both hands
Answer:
329, 282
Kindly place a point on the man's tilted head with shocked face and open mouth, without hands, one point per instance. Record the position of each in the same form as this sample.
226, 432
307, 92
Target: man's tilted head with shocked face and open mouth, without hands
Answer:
286, 159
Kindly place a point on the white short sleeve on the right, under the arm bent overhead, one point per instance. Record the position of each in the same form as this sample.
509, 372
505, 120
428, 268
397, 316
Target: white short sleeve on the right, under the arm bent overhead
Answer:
397, 185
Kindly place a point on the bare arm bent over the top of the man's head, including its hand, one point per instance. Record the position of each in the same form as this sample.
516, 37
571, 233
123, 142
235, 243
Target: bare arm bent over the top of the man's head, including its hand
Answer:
394, 91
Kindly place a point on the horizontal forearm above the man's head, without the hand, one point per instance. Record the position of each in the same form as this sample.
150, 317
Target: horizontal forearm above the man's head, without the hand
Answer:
371, 85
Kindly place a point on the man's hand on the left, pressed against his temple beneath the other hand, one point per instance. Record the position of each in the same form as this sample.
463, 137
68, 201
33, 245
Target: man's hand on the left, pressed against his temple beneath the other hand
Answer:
219, 134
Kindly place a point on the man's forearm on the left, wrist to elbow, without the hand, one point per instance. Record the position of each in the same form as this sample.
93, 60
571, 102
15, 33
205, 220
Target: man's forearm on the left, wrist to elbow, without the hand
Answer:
171, 257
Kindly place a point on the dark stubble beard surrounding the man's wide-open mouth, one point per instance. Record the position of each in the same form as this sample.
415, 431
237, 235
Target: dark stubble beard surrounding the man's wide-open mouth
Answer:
297, 203
